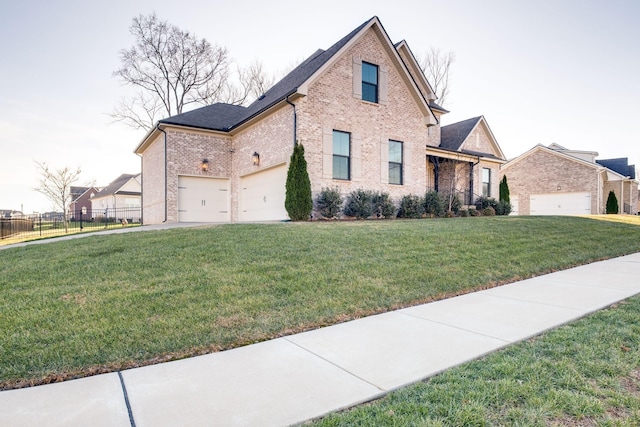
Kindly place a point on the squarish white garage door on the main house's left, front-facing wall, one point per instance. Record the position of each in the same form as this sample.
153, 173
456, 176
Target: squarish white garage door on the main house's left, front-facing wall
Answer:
203, 199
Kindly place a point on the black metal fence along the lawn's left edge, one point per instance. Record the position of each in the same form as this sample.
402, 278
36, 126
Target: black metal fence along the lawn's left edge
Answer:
29, 227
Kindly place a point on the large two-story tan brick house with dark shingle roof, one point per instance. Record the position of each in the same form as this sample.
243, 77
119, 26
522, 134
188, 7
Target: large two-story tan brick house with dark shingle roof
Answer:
364, 112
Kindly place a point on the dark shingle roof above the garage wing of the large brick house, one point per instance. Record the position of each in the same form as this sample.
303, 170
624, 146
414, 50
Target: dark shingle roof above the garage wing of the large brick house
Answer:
226, 116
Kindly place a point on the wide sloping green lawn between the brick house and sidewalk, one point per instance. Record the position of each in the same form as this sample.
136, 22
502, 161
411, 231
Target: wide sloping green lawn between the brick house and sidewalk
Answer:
102, 303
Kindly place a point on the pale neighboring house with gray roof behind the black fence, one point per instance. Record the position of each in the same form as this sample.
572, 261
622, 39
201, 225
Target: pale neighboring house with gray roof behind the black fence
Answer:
121, 199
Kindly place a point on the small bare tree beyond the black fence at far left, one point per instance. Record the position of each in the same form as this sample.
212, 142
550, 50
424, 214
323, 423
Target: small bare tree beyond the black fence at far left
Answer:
55, 184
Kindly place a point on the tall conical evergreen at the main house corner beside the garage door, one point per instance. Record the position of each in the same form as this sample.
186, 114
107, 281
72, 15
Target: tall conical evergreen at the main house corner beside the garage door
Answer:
298, 201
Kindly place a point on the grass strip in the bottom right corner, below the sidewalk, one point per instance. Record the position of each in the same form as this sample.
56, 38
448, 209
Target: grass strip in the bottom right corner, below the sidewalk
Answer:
583, 374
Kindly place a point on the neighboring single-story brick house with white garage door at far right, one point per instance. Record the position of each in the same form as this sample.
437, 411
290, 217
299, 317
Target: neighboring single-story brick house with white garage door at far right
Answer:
554, 180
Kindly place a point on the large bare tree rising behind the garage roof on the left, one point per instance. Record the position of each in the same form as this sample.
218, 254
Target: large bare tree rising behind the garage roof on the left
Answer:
171, 68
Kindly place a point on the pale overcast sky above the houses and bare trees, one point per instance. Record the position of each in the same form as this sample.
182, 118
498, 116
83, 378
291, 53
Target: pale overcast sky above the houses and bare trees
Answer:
540, 71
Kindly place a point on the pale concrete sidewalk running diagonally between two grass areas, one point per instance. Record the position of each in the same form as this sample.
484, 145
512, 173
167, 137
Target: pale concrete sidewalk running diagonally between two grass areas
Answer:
300, 377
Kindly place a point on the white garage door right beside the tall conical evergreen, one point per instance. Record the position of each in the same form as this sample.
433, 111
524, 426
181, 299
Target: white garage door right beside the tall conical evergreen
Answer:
262, 195
